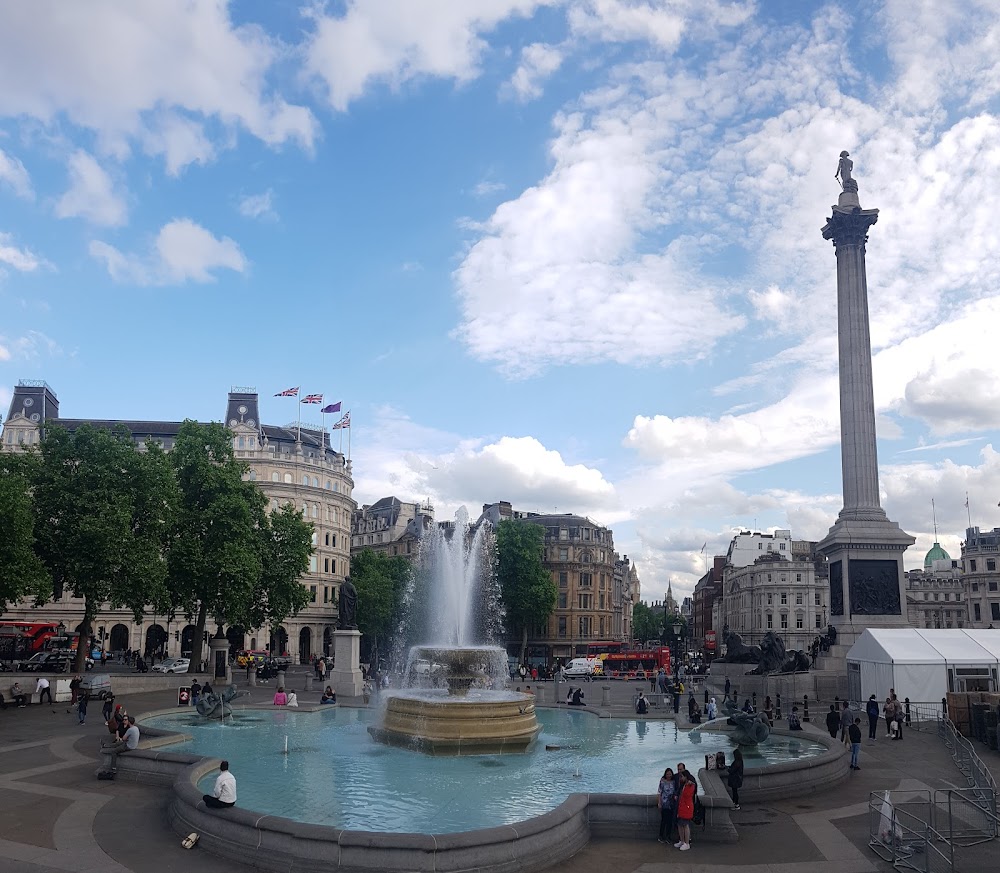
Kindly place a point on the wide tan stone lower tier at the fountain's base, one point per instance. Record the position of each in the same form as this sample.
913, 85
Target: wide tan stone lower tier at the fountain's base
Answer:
483, 723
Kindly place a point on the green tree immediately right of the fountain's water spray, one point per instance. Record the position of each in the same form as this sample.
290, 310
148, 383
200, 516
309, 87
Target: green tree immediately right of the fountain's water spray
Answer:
528, 591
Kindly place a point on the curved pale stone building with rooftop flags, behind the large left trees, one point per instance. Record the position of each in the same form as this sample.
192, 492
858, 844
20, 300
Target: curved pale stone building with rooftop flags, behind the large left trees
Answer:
291, 464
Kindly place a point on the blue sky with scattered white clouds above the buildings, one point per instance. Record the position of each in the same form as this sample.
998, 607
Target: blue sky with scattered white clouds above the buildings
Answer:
565, 253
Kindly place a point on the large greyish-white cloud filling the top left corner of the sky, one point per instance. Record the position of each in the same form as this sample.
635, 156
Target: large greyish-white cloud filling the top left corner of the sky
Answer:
162, 74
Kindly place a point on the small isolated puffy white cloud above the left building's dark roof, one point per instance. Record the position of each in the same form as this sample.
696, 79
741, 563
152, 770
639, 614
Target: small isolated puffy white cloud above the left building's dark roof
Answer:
182, 251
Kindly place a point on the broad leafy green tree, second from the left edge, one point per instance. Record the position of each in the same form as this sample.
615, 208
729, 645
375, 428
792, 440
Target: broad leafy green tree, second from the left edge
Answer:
102, 515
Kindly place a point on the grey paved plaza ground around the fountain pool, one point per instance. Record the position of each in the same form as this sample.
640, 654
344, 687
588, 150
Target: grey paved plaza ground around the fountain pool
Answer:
57, 816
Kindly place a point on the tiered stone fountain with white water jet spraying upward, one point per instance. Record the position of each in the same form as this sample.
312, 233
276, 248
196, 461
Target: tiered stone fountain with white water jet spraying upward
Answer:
455, 697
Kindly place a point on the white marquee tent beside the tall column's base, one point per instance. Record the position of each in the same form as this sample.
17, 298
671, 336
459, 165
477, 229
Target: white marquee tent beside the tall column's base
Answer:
922, 664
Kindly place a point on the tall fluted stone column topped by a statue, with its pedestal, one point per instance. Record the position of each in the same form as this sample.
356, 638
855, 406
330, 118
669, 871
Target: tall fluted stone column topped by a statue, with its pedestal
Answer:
864, 548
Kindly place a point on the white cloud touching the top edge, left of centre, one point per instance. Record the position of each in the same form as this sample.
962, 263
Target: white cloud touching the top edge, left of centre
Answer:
396, 41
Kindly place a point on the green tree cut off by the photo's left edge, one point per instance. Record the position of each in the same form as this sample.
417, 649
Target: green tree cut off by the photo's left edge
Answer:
22, 574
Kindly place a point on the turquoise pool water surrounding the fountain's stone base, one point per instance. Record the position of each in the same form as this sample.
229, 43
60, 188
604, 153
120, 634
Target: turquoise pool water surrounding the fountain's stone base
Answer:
334, 773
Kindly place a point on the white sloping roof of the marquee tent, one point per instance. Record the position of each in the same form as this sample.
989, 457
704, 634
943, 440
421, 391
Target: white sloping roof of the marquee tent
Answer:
927, 646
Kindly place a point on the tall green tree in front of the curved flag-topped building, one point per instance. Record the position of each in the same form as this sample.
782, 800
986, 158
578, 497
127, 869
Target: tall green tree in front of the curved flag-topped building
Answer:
230, 561
